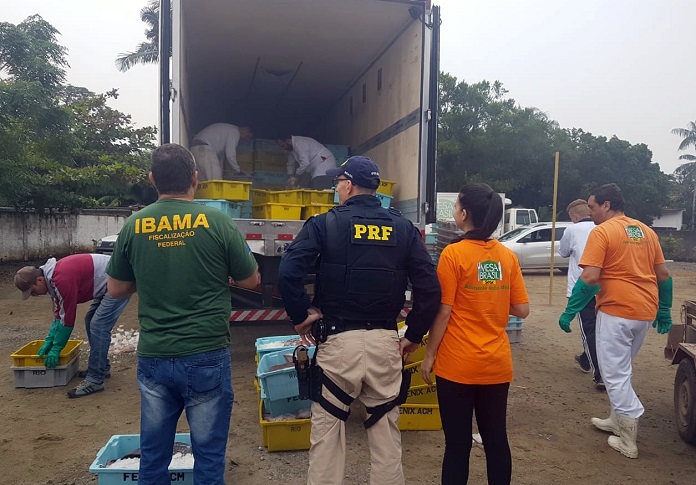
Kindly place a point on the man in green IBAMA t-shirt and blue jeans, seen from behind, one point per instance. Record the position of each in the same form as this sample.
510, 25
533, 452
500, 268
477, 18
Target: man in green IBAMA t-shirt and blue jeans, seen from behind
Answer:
179, 256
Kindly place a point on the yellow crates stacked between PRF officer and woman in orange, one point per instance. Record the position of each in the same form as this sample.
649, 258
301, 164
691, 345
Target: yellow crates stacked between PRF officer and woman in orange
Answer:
421, 411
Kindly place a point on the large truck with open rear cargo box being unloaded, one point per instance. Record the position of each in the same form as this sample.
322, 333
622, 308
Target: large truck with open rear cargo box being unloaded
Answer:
356, 73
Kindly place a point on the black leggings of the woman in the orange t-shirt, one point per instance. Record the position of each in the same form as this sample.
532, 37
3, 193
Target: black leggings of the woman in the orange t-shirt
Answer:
457, 405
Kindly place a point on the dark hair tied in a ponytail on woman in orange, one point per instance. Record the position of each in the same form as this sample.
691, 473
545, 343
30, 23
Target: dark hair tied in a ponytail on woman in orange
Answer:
485, 208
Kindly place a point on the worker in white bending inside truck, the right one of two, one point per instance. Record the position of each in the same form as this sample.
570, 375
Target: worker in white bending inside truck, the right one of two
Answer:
308, 162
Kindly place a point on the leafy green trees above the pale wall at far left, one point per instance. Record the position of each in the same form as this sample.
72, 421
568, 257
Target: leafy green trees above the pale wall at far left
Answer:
63, 147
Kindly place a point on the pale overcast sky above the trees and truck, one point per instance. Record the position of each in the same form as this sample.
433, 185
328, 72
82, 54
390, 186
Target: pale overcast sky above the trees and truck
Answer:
619, 67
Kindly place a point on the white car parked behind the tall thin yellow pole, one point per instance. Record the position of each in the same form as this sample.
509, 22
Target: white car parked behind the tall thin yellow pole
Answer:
532, 245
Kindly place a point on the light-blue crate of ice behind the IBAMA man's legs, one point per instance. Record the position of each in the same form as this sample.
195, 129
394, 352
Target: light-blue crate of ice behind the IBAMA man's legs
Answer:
119, 460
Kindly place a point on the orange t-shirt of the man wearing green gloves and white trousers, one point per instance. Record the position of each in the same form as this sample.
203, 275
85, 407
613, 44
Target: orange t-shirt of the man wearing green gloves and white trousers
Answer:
627, 251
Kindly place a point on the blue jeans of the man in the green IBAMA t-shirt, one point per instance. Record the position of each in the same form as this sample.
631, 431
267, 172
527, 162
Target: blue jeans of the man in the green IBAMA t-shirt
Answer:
201, 384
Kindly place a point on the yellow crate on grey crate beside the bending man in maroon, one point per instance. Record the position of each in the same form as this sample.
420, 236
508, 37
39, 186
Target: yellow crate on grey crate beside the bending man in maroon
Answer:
30, 371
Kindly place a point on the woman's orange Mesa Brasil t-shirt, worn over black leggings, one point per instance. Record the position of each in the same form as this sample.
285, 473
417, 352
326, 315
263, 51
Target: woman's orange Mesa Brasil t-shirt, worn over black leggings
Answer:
480, 280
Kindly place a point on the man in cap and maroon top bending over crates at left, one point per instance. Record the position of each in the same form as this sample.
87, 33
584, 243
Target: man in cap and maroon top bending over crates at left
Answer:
69, 281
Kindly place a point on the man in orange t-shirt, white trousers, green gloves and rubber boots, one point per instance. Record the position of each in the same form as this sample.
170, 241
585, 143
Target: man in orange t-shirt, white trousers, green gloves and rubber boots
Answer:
624, 266
